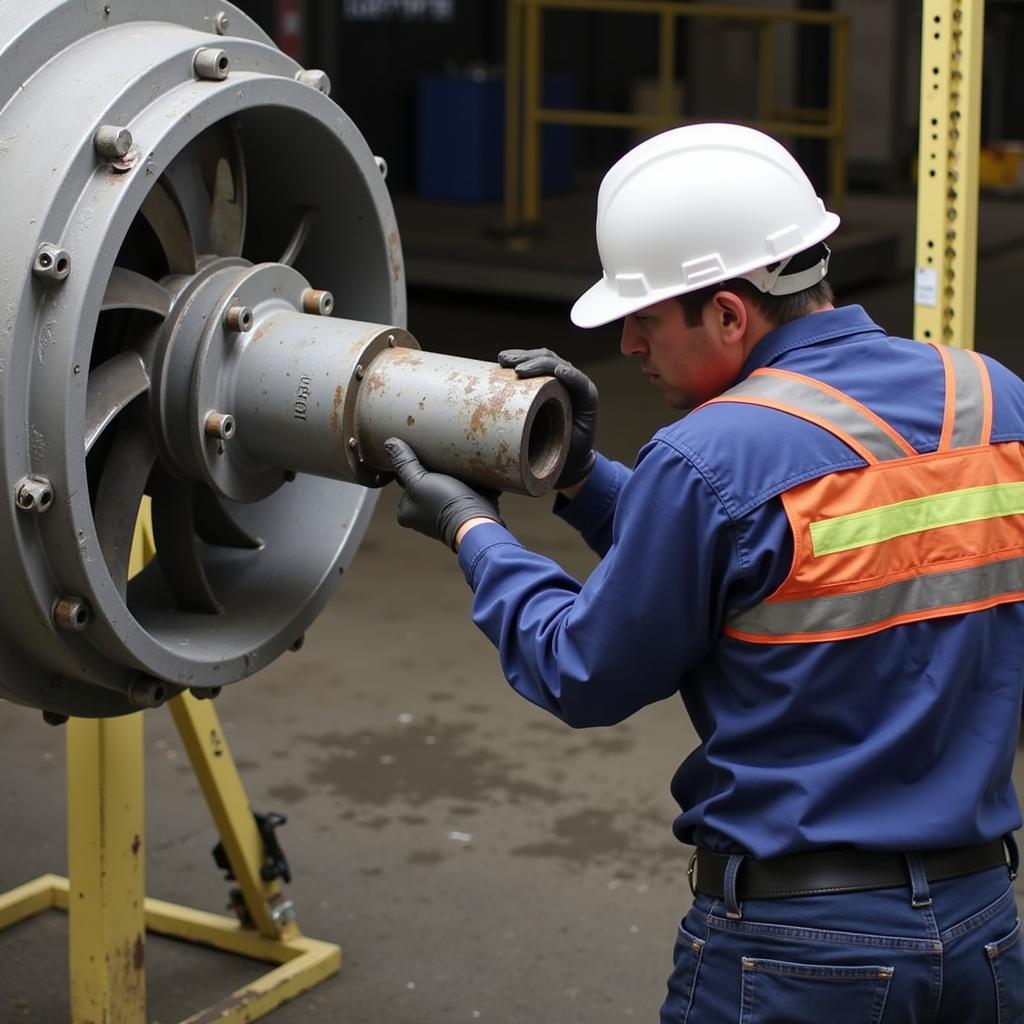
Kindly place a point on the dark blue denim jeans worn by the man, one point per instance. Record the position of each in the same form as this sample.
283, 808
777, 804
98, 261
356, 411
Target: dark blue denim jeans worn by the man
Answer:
867, 958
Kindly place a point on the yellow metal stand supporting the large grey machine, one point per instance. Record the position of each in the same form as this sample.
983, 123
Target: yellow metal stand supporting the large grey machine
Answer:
104, 895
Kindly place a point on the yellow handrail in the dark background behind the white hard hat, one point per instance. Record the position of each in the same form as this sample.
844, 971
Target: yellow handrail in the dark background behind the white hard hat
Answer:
525, 114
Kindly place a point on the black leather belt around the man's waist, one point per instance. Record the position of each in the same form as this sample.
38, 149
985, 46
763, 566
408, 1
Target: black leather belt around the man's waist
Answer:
836, 871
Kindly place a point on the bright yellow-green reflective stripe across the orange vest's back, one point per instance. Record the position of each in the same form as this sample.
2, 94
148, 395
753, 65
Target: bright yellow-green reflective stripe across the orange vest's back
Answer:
875, 526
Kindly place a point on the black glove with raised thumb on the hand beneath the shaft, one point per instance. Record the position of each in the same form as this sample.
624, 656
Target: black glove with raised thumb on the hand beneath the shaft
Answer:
435, 504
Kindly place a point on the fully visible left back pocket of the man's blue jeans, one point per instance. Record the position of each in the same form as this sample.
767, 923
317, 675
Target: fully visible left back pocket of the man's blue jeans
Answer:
810, 994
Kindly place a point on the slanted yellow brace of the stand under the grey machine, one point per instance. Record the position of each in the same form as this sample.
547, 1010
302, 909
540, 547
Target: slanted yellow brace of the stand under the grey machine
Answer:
219, 778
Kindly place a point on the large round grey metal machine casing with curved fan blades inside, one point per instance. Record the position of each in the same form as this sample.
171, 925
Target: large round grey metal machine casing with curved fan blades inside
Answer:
219, 172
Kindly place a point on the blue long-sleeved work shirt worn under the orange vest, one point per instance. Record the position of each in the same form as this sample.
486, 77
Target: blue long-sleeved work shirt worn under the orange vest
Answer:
904, 740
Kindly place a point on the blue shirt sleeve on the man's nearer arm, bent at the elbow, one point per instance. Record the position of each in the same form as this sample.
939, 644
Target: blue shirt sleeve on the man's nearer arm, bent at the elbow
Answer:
593, 654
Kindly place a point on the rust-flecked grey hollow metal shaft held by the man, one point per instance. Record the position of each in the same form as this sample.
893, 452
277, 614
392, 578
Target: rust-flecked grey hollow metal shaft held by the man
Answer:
321, 396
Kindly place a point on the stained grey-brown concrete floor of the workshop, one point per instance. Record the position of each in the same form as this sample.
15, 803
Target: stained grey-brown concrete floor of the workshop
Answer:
476, 860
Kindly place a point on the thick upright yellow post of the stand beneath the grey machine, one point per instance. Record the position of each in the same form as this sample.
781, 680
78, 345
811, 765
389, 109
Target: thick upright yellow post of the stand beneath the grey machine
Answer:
106, 871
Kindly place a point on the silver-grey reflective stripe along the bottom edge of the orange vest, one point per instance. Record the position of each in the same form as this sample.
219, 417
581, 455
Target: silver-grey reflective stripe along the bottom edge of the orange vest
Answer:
851, 612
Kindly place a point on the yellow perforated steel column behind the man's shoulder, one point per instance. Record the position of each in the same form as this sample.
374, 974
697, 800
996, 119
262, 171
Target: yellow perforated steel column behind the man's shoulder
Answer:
948, 172
